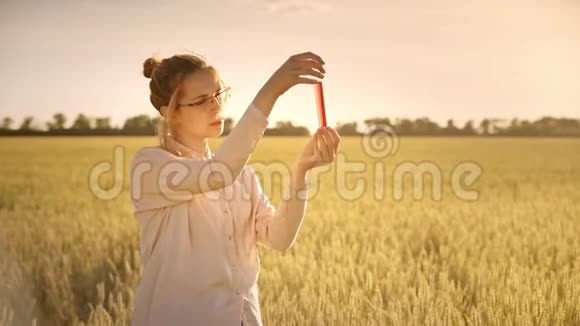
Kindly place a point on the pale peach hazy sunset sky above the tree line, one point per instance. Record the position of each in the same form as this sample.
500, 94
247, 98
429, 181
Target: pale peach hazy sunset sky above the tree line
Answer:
392, 58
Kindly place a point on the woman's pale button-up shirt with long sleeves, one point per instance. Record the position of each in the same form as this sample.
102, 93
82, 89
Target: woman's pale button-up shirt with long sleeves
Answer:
199, 248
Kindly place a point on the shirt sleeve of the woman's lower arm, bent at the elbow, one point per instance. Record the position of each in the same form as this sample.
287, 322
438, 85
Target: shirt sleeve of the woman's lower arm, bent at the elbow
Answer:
277, 228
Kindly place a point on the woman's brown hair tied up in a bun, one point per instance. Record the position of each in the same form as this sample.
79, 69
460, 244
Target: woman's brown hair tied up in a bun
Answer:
166, 84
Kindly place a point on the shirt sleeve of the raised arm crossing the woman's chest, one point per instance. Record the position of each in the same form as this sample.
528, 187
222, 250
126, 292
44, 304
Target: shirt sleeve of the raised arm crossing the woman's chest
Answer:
160, 179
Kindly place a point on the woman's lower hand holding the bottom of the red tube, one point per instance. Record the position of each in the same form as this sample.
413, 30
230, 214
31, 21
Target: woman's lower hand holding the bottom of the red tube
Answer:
320, 149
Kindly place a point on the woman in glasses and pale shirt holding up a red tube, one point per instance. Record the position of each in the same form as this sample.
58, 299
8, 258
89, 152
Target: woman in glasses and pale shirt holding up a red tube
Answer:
198, 242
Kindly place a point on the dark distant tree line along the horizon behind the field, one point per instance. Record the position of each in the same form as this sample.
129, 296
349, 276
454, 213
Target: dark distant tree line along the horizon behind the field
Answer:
145, 125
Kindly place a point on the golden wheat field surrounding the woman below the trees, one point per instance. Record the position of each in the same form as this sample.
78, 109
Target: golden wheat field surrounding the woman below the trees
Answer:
510, 257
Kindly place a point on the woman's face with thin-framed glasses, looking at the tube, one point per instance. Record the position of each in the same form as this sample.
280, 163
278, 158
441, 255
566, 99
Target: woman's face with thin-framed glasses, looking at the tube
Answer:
199, 121
